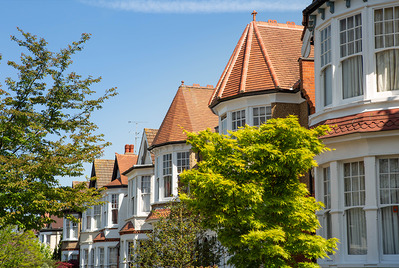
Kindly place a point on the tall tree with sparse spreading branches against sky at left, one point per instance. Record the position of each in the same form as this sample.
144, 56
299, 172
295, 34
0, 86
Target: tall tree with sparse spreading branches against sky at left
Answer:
45, 132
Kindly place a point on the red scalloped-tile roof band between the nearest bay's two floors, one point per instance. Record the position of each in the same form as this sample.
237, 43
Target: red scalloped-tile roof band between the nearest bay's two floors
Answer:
363, 122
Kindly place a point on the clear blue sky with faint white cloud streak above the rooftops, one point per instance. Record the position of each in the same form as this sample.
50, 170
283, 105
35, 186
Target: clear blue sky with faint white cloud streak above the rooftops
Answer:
145, 48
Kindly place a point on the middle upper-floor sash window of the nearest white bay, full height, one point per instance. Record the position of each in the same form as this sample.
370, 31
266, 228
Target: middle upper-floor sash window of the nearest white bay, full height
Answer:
350, 52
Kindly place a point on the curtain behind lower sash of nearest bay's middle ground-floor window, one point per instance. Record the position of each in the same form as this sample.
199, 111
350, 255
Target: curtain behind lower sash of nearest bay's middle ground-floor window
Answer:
357, 233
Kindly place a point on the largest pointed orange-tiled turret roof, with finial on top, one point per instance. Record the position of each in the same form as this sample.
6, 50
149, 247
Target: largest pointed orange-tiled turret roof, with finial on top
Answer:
265, 58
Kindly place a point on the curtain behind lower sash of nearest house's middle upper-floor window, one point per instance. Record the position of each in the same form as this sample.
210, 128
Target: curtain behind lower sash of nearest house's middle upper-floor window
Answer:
352, 77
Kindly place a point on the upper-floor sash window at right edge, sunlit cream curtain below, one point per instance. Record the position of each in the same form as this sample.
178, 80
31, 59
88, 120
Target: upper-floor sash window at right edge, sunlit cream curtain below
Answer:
386, 33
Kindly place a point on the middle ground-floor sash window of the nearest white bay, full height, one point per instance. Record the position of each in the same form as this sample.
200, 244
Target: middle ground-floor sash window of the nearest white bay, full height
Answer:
354, 201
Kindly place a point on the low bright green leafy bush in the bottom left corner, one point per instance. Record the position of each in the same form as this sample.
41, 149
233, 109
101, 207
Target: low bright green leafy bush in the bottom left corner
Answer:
22, 249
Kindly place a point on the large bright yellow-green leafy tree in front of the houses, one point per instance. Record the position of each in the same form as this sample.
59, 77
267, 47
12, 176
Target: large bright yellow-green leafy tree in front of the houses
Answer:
247, 189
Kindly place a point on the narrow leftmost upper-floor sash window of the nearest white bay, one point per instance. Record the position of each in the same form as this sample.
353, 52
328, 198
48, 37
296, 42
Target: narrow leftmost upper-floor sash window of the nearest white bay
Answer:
326, 73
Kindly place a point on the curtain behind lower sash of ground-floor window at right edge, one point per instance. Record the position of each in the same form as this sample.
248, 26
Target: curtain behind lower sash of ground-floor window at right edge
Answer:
390, 230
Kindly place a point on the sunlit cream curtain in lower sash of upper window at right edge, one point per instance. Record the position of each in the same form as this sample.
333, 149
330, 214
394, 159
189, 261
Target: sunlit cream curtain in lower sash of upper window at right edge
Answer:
388, 70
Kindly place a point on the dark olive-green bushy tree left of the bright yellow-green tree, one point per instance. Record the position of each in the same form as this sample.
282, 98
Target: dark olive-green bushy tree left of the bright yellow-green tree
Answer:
177, 240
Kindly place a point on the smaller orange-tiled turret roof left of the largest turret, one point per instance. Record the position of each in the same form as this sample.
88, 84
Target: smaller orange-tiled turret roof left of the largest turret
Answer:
189, 110
